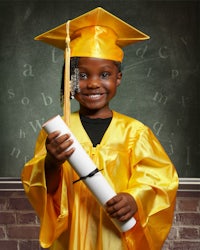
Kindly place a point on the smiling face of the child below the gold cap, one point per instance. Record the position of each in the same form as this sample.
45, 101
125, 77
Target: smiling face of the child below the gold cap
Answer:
98, 82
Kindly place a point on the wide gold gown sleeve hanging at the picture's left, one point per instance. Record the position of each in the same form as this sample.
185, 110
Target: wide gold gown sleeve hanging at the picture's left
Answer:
53, 218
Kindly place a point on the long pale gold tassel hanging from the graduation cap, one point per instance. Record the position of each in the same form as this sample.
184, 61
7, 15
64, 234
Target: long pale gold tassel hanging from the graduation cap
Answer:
67, 109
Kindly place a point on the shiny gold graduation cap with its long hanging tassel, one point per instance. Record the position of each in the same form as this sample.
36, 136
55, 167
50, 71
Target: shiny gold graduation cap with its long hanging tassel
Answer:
96, 33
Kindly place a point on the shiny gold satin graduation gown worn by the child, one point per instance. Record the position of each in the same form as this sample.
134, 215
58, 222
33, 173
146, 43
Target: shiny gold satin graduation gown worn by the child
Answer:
133, 161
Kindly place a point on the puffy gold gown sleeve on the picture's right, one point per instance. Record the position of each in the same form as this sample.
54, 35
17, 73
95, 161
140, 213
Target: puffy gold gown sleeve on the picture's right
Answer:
153, 184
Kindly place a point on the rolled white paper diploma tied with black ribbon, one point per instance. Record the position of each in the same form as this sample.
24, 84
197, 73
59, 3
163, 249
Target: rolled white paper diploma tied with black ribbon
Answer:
83, 165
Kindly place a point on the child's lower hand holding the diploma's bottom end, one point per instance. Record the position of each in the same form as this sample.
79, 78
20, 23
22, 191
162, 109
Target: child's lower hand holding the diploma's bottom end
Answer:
121, 207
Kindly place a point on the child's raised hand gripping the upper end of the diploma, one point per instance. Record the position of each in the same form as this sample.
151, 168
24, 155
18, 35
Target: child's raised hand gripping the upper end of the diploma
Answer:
57, 147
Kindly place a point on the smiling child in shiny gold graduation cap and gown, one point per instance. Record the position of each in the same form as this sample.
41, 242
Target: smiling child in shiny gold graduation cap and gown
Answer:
126, 151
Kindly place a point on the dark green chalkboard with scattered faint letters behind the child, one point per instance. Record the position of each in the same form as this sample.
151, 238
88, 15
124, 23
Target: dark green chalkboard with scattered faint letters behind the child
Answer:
160, 84
